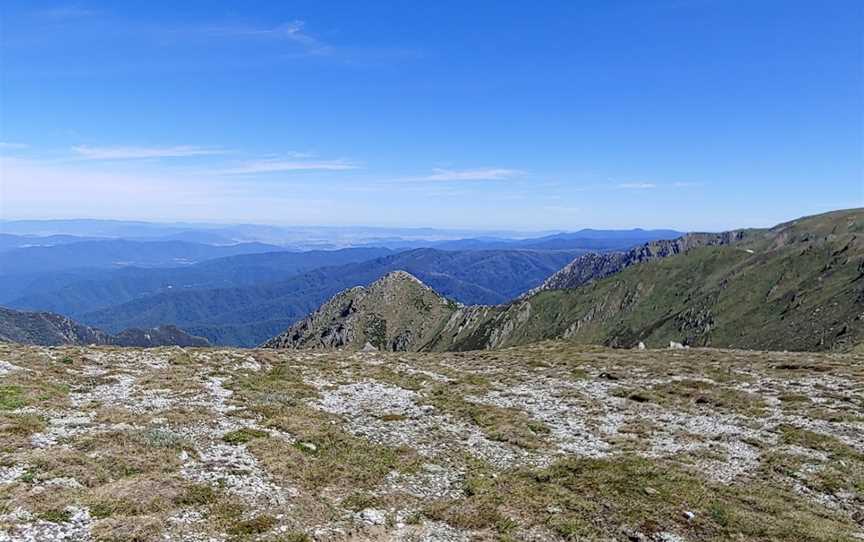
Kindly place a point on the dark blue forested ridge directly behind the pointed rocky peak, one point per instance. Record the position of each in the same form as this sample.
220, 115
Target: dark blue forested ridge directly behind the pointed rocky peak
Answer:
249, 315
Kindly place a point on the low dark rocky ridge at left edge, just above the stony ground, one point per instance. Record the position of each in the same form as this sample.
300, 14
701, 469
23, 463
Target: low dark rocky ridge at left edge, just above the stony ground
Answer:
49, 329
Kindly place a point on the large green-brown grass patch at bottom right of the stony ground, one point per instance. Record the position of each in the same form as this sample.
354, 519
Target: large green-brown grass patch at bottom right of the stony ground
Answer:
586, 499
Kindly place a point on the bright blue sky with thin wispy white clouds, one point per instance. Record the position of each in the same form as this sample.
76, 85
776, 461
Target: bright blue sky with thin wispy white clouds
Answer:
692, 114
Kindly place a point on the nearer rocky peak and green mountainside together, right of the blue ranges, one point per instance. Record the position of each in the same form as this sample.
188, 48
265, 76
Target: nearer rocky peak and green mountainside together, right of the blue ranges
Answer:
797, 286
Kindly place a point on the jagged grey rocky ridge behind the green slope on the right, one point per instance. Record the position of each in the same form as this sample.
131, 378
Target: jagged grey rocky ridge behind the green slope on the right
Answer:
595, 266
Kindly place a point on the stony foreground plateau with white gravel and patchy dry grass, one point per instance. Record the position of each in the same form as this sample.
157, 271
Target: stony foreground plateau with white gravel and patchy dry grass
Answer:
548, 442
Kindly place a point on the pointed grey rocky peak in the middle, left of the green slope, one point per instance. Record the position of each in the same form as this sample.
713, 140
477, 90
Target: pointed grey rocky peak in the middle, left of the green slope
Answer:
395, 313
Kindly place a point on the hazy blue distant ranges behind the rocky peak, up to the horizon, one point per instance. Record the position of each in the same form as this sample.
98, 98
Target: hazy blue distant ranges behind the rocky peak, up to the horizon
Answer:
241, 294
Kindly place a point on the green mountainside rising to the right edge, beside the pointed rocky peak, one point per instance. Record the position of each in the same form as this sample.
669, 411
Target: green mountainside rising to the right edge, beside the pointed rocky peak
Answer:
797, 286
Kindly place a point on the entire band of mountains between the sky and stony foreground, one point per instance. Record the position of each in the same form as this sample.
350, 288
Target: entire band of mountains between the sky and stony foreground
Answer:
796, 286
